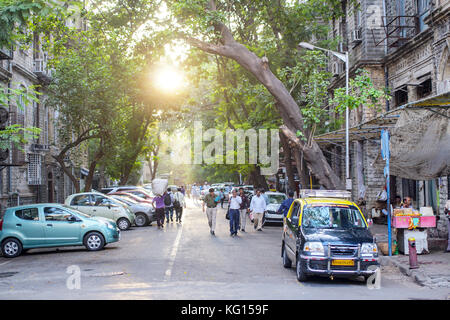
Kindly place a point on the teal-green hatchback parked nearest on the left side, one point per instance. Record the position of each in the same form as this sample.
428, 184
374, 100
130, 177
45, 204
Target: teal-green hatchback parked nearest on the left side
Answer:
53, 225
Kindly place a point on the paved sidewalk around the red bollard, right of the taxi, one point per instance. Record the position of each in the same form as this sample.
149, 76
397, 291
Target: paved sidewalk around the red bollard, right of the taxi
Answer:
434, 268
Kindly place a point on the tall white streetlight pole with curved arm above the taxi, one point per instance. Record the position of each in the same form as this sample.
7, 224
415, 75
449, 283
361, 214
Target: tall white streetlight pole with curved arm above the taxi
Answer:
344, 57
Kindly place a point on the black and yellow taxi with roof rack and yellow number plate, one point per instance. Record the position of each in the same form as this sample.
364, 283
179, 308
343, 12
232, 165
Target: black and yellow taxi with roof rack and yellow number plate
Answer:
326, 234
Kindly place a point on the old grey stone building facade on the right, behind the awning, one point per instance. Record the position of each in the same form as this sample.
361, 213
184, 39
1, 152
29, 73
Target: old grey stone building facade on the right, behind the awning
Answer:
405, 46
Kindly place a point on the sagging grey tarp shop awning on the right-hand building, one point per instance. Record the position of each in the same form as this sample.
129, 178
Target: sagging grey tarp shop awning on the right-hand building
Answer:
420, 137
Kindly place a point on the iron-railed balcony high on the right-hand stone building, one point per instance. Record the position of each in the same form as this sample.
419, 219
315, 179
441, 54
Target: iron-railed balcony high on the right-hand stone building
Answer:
397, 30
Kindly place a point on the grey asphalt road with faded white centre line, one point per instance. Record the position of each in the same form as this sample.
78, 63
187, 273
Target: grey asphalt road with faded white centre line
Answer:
183, 261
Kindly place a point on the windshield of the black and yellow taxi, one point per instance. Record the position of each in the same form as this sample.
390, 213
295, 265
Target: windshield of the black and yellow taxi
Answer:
332, 217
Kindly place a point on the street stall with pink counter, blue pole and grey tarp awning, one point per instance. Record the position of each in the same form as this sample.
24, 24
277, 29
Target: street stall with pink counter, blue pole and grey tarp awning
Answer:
415, 145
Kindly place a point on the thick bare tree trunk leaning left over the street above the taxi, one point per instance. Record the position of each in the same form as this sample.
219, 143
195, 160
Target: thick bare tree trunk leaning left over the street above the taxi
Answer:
286, 105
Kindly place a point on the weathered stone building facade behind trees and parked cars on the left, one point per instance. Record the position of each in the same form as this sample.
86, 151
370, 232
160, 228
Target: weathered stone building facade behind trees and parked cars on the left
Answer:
30, 174
